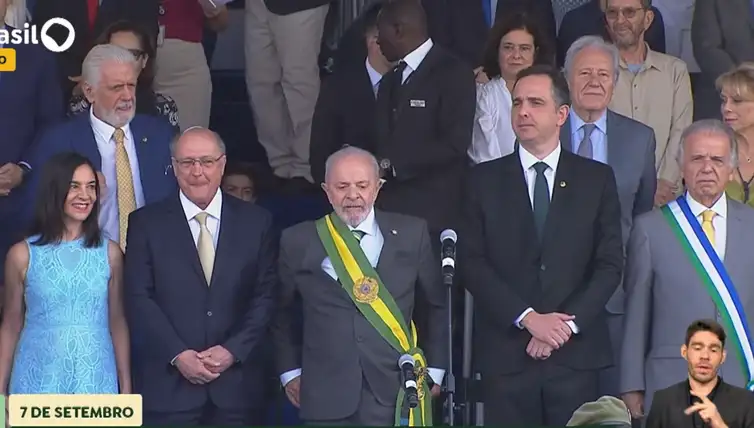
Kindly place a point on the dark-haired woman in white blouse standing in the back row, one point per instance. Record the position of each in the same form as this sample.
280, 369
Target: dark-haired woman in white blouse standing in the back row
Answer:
516, 42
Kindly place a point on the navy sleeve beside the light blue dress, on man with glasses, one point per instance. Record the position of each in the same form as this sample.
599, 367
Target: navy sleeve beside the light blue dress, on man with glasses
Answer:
146, 320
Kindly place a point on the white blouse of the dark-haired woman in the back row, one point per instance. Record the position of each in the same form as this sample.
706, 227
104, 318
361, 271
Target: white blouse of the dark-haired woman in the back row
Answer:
493, 135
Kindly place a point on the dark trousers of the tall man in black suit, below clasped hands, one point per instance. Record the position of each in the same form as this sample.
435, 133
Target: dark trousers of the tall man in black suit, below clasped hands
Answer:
543, 394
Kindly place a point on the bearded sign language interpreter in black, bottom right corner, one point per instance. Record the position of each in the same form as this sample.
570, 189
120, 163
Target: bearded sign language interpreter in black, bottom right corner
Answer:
704, 399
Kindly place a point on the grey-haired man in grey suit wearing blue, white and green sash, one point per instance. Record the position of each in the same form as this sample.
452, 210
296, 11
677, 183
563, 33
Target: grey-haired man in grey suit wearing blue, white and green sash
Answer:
690, 259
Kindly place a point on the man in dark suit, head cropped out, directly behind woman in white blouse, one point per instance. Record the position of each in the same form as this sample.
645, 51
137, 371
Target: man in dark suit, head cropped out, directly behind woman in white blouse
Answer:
469, 22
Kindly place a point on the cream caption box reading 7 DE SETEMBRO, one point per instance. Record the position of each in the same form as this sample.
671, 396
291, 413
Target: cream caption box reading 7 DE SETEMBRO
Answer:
75, 410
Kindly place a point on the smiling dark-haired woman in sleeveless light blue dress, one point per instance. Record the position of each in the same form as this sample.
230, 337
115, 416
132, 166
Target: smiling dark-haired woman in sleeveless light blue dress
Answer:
64, 330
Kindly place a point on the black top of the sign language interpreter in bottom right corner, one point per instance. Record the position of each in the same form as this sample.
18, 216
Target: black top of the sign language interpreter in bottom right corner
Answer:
736, 406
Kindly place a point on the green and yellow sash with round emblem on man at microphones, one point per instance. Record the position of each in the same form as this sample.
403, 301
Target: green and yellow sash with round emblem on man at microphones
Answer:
362, 283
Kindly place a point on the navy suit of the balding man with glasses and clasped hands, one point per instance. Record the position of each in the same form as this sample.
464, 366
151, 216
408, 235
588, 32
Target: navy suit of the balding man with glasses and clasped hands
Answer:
171, 308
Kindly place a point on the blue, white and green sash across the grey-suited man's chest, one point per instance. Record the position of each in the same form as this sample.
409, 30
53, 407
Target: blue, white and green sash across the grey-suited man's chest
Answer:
716, 281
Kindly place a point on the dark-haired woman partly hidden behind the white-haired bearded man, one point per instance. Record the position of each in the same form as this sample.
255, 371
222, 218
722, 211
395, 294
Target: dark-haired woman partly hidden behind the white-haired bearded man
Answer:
136, 40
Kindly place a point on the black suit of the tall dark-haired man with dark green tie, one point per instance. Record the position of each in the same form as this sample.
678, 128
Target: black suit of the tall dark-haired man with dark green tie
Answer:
575, 270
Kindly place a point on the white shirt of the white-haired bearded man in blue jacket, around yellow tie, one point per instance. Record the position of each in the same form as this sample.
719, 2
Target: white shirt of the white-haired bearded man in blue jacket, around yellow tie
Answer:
103, 134
